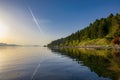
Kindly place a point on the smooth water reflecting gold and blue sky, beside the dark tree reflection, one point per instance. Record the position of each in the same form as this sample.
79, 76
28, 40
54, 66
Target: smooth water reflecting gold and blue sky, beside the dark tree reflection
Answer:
38, 63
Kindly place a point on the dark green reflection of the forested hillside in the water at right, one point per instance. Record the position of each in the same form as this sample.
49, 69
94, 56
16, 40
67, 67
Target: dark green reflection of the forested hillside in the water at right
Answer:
105, 63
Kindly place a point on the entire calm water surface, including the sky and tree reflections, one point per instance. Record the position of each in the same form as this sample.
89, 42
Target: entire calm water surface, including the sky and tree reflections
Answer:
38, 63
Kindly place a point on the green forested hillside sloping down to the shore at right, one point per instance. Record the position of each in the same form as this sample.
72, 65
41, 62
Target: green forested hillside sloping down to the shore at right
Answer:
100, 32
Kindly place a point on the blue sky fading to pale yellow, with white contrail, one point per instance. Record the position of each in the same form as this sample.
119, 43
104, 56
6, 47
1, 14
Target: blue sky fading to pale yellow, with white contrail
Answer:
41, 21
